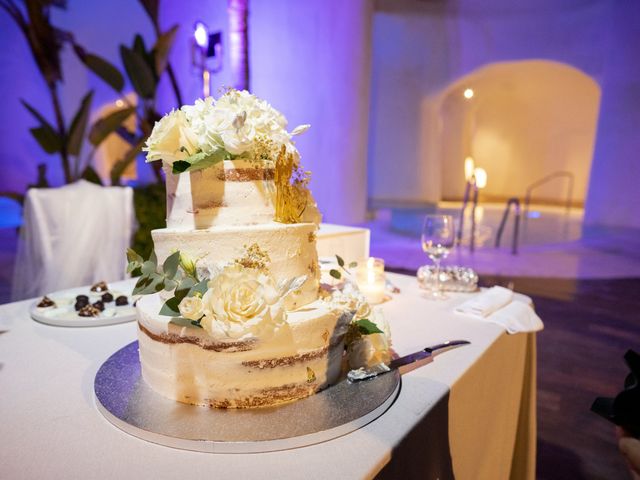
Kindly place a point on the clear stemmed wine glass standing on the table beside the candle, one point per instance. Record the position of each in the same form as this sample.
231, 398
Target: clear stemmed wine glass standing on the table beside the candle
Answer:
438, 236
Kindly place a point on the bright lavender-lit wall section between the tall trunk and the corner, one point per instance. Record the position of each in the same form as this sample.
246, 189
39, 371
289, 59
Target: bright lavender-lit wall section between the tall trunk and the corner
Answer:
311, 59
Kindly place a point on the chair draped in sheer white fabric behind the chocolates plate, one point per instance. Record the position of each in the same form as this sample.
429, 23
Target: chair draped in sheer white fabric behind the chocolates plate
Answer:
72, 236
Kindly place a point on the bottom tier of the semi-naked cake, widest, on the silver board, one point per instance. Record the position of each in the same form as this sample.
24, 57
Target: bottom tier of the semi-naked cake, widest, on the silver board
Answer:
182, 362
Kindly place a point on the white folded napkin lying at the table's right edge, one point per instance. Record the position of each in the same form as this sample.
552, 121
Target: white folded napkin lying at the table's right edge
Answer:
495, 305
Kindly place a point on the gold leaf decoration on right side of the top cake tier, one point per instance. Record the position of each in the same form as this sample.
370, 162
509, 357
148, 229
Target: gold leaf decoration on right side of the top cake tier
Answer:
291, 189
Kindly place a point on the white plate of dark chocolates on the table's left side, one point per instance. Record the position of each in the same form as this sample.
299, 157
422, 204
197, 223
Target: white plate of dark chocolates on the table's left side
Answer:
92, 306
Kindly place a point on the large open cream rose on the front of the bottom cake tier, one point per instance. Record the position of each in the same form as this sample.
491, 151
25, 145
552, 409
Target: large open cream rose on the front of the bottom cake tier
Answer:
242, 301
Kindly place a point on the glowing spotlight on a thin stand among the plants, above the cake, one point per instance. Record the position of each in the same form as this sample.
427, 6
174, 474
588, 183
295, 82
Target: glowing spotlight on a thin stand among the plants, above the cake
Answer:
206, 54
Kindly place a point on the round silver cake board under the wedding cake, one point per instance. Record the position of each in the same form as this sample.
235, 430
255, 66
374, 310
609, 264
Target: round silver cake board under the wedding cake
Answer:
125, 400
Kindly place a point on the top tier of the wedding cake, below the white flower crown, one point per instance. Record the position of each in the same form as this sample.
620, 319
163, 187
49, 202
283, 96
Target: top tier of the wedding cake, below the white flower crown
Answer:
231, 193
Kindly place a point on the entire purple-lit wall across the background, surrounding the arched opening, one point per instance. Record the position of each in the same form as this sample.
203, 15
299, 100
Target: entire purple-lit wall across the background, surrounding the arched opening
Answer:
358, 72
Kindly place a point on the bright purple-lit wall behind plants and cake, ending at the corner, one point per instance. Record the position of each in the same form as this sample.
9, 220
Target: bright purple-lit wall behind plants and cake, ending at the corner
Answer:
307, 60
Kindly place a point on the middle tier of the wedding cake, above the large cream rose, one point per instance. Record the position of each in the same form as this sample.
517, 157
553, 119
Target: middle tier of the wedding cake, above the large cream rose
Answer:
286, 251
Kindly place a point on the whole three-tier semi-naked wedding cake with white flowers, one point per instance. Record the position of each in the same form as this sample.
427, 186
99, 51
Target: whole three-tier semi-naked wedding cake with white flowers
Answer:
234, 317
